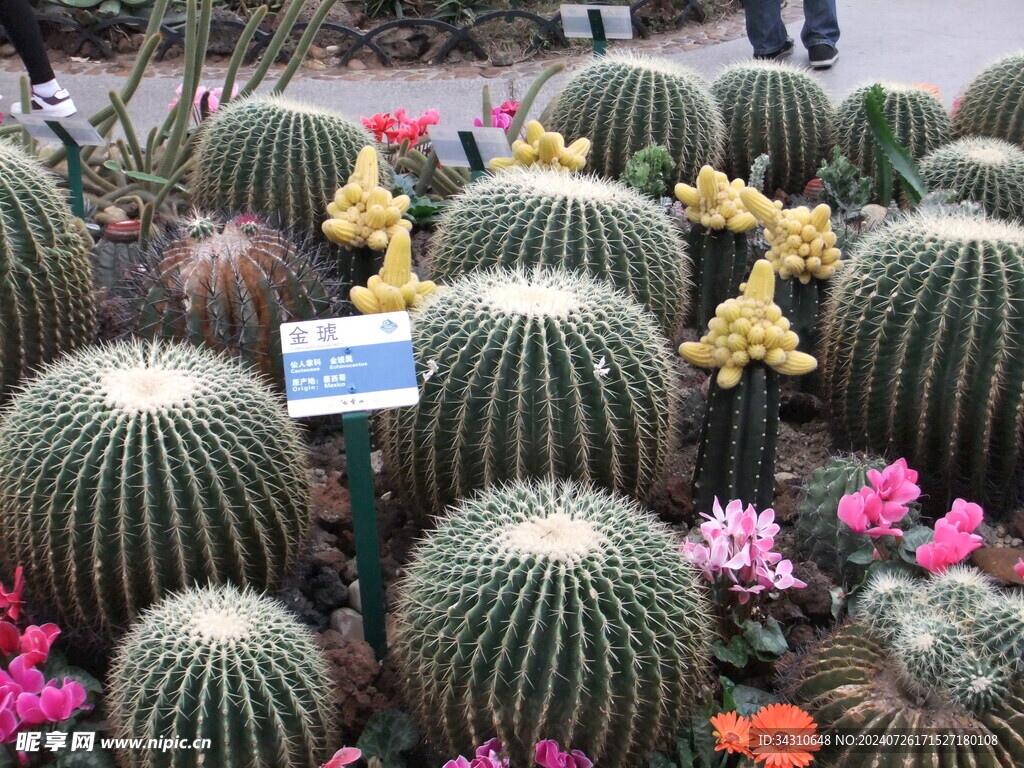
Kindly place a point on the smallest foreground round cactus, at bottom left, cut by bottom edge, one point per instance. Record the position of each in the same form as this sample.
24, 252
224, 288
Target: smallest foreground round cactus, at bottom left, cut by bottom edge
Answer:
231, 667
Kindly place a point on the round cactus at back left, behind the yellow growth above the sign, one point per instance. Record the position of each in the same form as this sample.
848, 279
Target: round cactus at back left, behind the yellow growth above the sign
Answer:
277, 158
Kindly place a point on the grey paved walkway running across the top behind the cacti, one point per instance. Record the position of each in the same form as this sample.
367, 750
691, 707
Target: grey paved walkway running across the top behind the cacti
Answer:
942, 42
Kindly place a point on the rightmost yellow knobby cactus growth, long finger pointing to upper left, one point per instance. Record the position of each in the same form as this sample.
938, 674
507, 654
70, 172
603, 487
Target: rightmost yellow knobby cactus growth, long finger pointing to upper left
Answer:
803, 245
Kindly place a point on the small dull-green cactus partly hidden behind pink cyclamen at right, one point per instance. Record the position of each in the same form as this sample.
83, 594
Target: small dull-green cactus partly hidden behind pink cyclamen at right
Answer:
821, 535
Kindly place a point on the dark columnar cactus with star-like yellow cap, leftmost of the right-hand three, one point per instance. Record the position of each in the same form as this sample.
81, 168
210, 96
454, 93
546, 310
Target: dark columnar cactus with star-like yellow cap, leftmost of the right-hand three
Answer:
718, 238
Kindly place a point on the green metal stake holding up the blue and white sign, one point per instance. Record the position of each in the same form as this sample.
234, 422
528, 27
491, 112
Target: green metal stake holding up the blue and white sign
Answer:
368, 553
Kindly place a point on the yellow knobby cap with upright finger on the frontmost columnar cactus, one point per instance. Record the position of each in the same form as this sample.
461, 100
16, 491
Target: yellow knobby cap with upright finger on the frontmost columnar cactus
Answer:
749, 329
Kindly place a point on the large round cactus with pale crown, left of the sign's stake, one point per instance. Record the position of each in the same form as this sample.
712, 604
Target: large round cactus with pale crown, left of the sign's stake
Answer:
134, 471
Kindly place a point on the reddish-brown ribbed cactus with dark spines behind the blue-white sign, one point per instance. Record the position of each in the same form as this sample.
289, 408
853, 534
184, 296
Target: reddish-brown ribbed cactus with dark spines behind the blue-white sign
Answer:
229, 286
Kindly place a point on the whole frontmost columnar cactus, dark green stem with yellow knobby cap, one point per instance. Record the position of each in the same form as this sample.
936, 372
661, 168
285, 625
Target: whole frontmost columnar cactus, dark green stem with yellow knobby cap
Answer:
751, 344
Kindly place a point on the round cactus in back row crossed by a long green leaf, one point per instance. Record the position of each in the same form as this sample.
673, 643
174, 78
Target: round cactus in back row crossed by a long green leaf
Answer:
918, 118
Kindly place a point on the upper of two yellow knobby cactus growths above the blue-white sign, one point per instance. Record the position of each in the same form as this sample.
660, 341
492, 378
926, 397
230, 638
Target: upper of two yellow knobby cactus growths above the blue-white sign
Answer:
363, 214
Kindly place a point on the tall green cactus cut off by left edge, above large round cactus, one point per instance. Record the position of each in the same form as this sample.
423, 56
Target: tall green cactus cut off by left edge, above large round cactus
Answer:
46, 277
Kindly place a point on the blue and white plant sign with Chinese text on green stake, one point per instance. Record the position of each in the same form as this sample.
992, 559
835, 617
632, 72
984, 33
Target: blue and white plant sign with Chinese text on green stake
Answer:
349, 364
